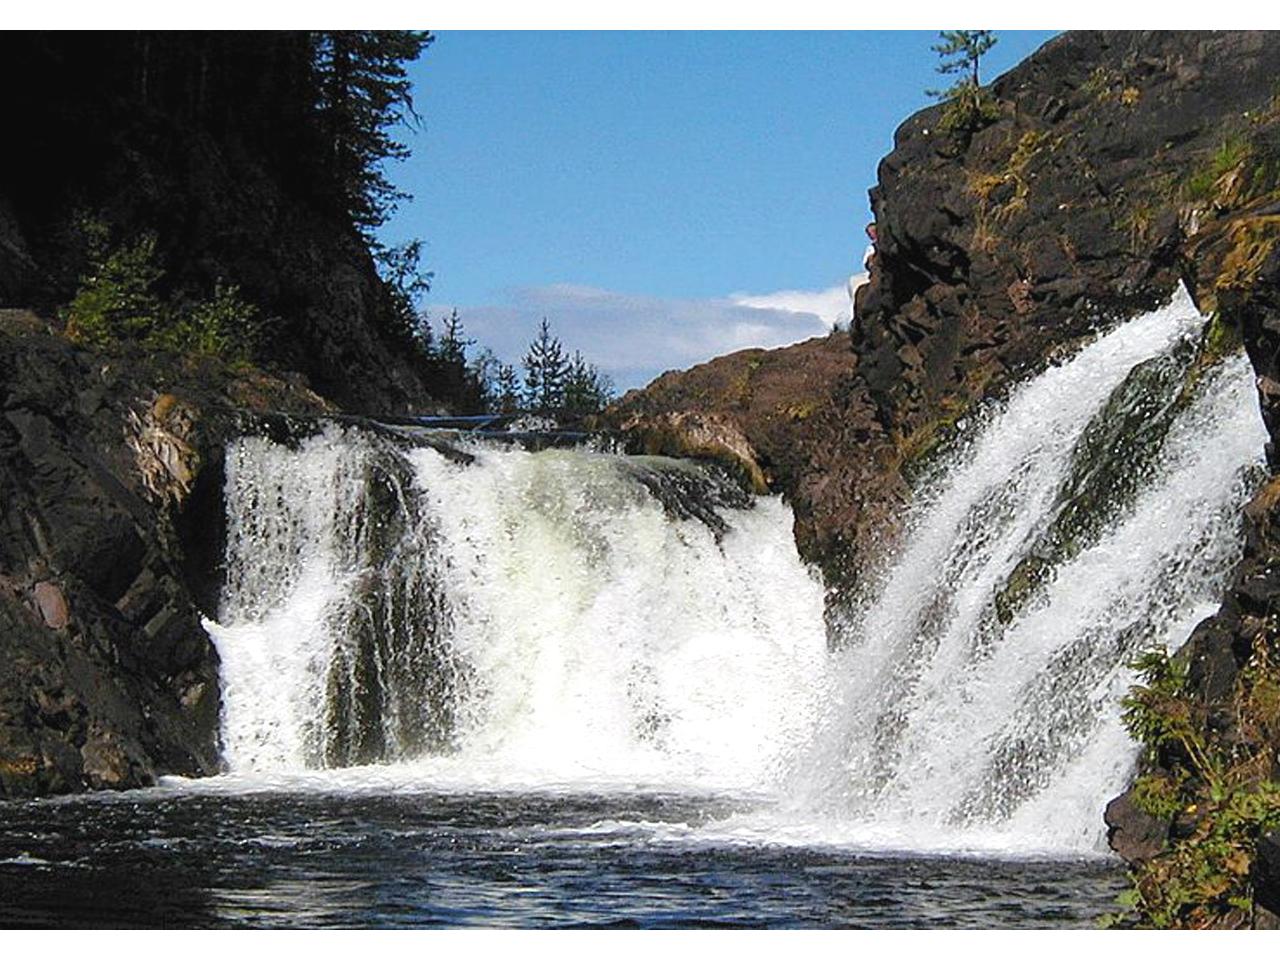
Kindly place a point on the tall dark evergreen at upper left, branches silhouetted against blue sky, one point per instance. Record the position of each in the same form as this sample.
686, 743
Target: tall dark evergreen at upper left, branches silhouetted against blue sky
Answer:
364, 95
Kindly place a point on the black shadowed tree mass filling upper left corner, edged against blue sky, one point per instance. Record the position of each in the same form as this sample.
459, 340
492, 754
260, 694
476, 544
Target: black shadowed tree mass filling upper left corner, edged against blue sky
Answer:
257, 159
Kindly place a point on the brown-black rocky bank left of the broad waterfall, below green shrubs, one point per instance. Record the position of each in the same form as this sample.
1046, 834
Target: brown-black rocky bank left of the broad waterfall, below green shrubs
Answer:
109, 491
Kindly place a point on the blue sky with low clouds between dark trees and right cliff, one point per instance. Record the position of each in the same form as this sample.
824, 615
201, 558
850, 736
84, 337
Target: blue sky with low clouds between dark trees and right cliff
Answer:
636, 188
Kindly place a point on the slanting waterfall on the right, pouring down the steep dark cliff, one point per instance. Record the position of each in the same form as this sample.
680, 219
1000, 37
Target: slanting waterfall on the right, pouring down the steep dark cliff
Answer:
1092, 516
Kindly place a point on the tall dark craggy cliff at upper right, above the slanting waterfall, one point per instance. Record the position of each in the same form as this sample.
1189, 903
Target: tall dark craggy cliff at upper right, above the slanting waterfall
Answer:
998, 245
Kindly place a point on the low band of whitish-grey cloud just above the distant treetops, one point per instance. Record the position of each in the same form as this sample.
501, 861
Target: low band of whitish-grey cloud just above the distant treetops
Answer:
636, 337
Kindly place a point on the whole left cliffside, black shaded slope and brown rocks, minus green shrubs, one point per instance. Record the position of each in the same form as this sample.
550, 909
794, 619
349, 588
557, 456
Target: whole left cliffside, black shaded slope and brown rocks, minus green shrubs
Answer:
111, 483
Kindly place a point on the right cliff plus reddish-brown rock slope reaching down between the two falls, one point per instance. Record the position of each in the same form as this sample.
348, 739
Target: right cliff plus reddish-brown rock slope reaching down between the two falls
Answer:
996, 249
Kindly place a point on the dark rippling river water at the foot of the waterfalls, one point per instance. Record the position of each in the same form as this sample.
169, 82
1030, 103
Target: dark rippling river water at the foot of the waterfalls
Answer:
281, 860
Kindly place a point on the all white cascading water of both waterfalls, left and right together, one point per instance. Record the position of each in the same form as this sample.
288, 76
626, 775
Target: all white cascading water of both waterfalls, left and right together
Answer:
583, 620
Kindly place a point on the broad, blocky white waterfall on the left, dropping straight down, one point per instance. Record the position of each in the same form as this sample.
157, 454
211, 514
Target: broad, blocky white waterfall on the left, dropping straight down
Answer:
561, 616
